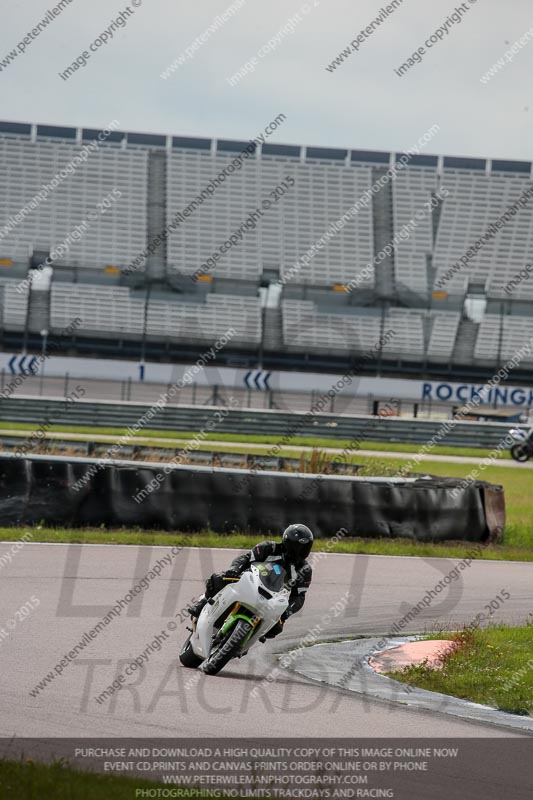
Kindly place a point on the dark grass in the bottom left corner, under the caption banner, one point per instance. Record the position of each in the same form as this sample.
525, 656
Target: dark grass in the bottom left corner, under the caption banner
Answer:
29, 780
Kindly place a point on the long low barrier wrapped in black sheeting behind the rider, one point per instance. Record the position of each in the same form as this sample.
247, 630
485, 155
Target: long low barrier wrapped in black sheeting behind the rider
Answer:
93, 492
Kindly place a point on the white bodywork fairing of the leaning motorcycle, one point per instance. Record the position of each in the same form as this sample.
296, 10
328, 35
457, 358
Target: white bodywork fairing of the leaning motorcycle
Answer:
246, 598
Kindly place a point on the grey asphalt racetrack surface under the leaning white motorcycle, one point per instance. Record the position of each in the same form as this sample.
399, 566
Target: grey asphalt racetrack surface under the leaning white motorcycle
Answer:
164, 700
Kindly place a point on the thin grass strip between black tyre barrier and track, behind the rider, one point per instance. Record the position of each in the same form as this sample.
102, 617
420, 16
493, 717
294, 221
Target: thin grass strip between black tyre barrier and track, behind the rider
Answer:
353, 545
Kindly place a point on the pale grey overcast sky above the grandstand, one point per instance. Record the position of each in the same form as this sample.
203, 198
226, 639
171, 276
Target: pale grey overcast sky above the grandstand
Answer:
363, 104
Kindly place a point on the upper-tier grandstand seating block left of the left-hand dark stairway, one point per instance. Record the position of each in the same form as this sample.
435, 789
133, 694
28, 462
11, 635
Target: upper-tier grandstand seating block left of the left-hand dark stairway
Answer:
115, 237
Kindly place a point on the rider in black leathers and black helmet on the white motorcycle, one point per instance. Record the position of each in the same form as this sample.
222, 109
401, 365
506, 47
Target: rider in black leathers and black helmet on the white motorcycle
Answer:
291, 553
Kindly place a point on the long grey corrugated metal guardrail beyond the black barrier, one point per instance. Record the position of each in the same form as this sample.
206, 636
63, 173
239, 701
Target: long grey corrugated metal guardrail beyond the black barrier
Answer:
247, 421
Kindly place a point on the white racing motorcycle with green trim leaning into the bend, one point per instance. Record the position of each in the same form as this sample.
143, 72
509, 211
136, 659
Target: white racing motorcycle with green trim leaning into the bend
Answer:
237, 618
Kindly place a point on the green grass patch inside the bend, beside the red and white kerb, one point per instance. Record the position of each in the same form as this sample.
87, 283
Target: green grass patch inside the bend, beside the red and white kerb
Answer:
492, 666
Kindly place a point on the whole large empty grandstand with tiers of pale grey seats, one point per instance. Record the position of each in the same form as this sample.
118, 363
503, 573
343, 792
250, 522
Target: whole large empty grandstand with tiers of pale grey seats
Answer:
169, 300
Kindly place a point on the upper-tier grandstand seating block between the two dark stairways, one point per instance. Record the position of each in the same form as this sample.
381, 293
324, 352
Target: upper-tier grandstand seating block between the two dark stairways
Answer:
322, 194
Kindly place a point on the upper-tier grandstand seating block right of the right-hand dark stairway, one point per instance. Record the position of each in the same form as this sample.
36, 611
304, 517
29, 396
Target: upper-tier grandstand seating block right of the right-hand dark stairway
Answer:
475, 201
